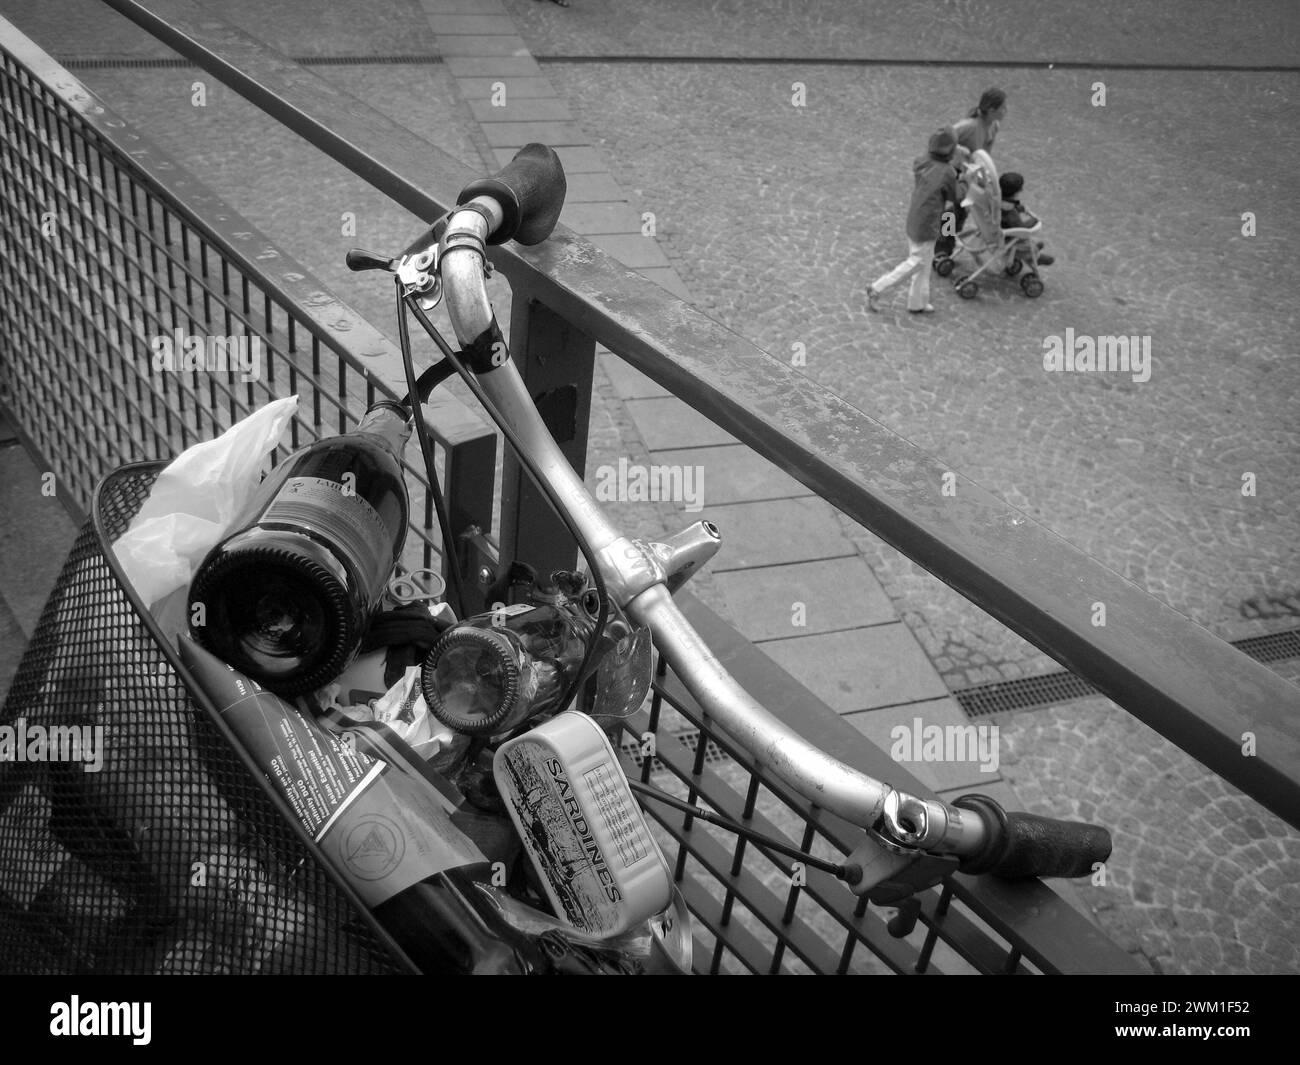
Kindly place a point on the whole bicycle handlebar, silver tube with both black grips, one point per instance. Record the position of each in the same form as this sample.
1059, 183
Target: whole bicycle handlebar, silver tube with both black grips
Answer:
525, 201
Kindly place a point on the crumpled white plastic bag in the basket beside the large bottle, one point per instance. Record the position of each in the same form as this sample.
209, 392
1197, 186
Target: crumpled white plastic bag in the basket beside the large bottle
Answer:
196, 500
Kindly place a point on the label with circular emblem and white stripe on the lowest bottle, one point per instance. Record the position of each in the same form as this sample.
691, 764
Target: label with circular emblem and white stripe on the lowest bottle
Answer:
384, 830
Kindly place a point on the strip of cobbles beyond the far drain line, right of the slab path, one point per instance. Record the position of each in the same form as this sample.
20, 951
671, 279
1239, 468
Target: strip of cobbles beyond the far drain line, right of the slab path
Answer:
1117, 32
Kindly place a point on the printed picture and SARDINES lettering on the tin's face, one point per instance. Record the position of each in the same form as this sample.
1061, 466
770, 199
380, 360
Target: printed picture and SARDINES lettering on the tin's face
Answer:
561, 841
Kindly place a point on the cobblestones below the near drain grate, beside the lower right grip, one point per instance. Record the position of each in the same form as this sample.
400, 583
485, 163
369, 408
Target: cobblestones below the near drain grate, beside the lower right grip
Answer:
1203, 880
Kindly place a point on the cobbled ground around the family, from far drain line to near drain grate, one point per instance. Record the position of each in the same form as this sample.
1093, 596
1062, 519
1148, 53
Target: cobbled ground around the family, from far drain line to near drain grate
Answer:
1146, 478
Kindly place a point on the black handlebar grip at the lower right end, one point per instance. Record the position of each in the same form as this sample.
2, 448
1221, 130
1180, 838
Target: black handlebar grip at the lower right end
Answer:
1022, 846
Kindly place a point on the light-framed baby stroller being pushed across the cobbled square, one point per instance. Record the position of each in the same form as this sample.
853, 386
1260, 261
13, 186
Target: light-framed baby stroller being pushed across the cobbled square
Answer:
985, 240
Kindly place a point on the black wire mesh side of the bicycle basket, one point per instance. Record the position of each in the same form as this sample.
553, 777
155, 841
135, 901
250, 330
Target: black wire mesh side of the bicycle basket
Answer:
138, 841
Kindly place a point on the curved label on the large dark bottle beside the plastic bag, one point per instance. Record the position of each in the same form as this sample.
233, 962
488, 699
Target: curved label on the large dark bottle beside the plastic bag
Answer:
332, 510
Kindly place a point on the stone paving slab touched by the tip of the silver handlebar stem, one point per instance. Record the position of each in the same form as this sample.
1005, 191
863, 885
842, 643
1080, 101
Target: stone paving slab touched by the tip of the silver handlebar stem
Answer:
775, 532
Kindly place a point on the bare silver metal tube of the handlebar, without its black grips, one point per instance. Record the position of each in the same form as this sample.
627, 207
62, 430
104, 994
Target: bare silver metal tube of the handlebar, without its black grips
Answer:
636, 581
